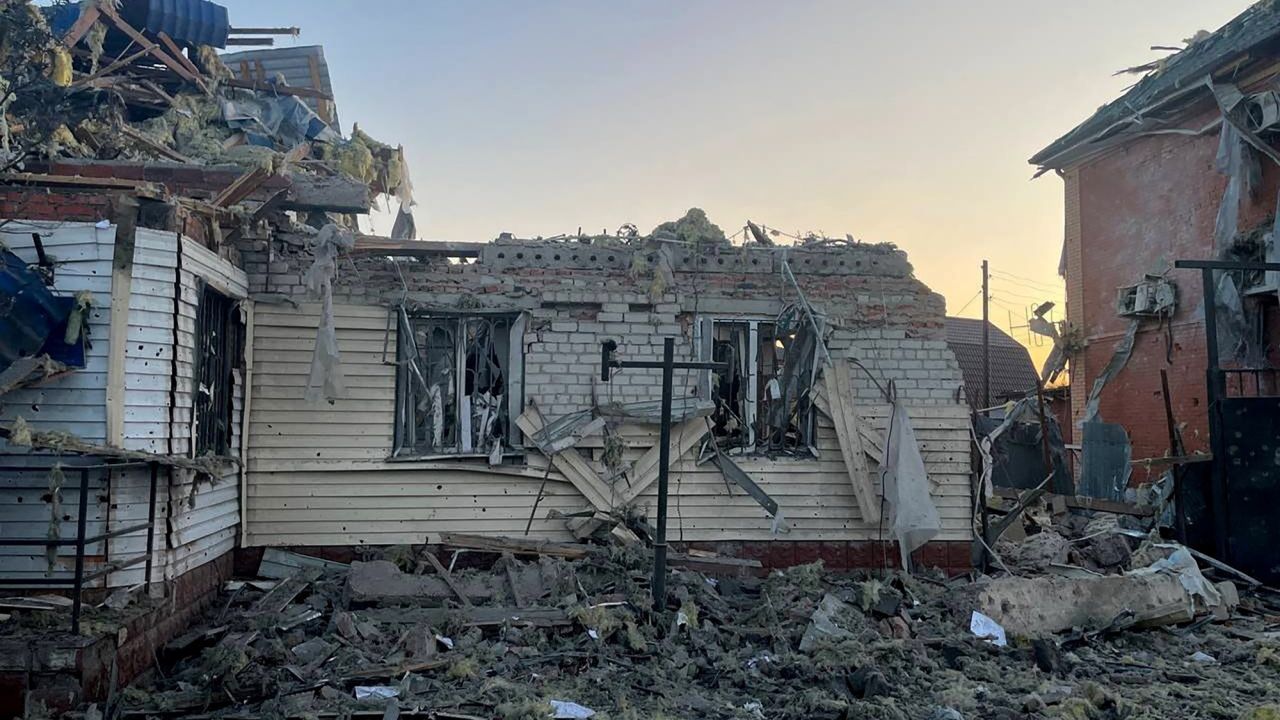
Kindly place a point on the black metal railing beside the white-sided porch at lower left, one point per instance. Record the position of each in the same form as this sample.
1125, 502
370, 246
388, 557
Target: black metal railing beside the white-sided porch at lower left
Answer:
76, 584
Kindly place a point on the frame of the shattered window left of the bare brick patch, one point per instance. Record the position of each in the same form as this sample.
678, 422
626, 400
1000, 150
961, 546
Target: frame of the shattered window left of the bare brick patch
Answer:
514, 381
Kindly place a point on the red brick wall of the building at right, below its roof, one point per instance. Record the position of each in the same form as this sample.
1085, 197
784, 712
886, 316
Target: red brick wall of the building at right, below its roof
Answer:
1140, 209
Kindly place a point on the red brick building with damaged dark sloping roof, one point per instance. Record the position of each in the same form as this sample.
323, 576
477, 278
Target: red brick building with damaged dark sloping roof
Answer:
1144, 188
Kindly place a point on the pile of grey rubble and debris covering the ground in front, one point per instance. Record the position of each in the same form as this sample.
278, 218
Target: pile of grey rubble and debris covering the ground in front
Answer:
572, 634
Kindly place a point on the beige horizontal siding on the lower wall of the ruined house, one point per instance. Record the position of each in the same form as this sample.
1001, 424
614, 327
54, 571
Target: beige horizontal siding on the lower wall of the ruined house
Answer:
318, 472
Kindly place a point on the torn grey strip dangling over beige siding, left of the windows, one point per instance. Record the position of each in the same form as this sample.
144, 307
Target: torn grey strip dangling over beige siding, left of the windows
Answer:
326, 380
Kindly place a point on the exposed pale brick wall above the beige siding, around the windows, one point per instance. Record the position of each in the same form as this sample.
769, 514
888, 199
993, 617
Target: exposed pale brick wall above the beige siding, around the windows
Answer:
578, 295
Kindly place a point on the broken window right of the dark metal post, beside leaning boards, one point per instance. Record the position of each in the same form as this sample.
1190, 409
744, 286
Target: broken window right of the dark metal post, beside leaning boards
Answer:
762, 400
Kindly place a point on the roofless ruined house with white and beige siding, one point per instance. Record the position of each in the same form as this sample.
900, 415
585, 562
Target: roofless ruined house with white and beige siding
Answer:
200, 354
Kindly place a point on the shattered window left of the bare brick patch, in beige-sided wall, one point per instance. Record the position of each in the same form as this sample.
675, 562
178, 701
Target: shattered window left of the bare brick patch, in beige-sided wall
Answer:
459, 384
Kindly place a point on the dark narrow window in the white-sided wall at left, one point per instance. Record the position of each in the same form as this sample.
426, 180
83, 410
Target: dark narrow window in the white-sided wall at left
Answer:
220, 349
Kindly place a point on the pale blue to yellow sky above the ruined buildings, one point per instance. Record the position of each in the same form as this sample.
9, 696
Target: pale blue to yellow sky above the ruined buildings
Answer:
906, 122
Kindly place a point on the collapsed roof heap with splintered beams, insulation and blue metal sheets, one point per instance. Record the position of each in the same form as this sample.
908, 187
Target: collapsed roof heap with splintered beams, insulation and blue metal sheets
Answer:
95, 84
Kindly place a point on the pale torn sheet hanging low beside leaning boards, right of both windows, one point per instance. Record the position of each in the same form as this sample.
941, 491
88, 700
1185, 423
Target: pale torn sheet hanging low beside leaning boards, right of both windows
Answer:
913, 516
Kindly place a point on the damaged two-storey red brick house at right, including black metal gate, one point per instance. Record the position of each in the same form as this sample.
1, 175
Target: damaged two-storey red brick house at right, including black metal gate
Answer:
1183, 167
